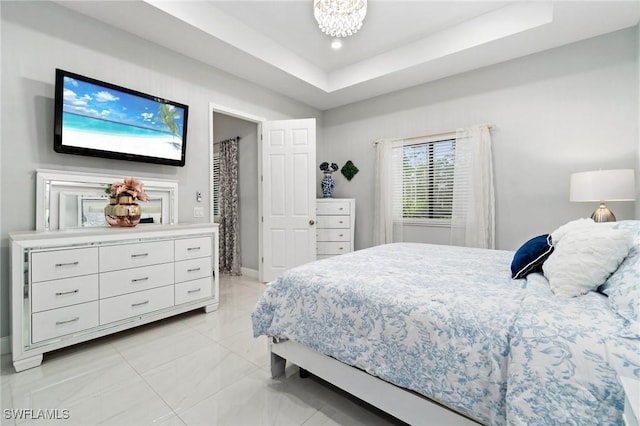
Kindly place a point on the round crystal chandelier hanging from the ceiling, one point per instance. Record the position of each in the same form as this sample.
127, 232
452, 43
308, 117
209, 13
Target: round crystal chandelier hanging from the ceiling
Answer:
339, 18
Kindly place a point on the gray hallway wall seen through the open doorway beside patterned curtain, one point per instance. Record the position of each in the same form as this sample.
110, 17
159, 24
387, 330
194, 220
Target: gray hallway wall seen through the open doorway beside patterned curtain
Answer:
225, 127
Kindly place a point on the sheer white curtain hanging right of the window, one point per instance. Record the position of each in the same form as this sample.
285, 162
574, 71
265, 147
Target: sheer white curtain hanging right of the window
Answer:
473, 212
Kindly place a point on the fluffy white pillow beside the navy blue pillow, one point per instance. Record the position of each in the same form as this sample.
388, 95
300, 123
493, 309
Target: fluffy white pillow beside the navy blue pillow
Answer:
585, 254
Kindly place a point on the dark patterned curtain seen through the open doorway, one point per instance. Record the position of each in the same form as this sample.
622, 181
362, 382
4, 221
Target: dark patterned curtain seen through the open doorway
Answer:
229, 222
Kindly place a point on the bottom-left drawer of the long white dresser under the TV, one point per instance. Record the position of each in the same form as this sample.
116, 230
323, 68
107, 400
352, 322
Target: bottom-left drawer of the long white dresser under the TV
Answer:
58, 322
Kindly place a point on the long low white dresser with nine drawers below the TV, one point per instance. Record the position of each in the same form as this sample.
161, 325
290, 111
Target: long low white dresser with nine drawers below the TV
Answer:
75, 285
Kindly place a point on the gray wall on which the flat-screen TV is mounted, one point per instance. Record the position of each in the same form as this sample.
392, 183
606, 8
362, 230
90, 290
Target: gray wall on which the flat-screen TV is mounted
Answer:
36, 38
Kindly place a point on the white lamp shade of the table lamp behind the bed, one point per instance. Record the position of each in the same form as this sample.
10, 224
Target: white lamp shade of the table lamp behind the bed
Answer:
603, 185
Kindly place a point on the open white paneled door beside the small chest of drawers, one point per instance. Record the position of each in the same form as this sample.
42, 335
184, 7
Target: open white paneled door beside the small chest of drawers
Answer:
287, 197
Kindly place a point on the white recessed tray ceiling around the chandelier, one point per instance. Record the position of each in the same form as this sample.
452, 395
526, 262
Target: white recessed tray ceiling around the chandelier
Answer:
401, 44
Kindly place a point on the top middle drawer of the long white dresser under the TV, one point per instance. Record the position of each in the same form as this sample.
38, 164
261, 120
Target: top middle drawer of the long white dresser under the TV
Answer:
134, 255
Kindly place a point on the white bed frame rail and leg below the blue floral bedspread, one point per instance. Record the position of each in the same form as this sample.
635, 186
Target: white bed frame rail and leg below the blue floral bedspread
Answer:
403, 404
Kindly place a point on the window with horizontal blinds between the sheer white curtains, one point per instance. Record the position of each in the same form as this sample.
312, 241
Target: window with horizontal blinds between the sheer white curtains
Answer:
424, 187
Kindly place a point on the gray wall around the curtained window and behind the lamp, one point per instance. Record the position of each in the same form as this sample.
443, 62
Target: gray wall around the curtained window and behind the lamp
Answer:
566, 110
